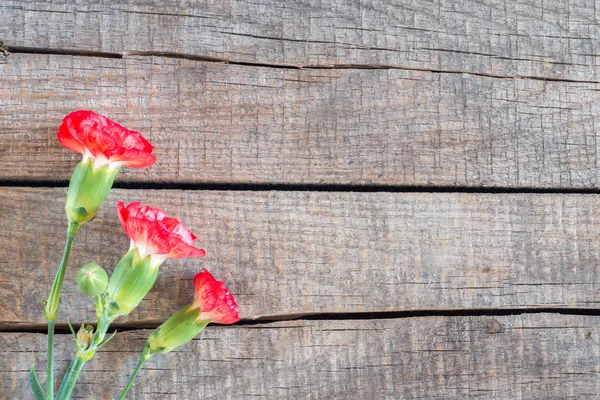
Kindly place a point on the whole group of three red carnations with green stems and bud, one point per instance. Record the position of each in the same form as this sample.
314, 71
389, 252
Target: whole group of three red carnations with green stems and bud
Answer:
107, 146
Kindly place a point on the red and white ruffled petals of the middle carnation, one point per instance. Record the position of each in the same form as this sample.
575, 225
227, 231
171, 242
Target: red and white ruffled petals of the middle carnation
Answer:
155, 234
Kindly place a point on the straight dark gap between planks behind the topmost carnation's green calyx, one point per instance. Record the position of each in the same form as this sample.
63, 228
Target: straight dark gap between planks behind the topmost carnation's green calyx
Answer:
284, 187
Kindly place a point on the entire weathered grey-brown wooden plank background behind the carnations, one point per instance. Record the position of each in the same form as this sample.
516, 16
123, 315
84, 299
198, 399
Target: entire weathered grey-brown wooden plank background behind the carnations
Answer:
402, 195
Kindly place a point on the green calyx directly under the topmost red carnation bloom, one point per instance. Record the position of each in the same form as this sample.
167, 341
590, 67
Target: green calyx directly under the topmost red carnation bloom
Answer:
88, 188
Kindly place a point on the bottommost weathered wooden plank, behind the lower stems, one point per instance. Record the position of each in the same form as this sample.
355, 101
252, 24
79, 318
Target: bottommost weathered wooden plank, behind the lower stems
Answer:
543, 356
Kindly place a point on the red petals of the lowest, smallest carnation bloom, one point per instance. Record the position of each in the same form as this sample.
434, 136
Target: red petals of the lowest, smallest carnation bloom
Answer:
214, 300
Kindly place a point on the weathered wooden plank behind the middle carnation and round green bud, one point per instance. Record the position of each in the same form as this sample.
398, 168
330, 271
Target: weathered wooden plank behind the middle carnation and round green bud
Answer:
296, 253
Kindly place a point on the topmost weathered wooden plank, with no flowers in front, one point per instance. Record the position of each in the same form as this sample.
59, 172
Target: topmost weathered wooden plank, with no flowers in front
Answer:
553, 39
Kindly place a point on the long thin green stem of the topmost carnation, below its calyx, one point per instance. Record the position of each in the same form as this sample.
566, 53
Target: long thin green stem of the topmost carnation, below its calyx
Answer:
51, 307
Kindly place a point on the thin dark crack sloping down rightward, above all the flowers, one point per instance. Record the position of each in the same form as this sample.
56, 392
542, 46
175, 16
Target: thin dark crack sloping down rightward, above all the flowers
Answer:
69, 52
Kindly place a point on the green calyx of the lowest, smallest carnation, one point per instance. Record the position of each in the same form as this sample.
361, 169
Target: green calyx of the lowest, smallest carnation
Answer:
179, 329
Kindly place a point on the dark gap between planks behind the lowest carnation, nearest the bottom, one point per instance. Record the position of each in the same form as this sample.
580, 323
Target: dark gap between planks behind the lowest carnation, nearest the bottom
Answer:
358, 316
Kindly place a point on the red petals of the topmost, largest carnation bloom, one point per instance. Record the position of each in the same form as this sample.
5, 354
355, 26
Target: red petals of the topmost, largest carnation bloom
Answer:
104, 141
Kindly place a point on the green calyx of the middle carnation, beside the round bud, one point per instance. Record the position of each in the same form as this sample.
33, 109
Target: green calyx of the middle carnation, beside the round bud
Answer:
130, 282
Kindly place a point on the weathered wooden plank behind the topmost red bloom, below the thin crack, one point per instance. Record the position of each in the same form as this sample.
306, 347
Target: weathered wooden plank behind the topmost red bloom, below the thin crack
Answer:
215, 122
